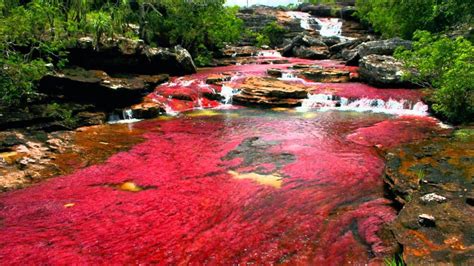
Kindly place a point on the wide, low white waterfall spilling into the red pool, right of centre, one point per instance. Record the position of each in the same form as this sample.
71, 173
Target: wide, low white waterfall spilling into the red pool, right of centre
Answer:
325, 102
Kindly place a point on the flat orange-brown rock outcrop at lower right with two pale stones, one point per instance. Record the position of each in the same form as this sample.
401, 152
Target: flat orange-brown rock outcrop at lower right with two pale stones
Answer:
432, 179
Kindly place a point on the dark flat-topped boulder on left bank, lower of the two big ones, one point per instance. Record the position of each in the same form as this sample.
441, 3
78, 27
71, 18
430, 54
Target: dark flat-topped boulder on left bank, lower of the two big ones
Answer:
98, 88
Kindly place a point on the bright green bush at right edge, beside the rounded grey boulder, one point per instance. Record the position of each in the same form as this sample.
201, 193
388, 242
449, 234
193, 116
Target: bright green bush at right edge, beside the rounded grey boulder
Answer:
448, 66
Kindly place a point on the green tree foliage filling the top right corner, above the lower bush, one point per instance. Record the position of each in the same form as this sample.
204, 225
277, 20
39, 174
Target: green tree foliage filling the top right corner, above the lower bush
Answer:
403, 17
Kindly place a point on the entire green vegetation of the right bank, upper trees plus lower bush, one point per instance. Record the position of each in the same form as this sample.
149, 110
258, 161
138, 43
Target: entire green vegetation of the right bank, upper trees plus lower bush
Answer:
438, 61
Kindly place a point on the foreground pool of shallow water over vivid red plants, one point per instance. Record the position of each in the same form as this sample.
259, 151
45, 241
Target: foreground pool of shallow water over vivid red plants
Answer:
225, 187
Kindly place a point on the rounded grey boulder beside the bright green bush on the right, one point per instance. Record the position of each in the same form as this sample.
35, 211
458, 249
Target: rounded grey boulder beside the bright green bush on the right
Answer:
381, 70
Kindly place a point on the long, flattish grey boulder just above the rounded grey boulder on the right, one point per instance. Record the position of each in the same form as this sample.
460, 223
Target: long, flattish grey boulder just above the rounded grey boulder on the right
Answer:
381, 47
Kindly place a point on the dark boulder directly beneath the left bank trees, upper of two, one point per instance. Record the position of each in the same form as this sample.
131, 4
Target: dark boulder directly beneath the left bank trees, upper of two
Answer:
122, 55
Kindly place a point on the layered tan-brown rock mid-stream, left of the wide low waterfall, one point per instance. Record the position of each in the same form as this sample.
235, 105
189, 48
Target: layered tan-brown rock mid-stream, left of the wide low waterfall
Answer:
270, 92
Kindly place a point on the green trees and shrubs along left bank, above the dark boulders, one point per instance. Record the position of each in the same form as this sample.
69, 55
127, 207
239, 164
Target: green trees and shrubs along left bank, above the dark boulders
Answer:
37, 33
